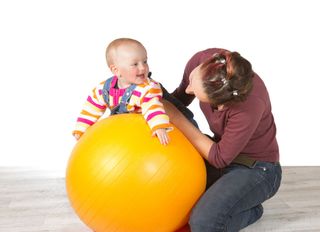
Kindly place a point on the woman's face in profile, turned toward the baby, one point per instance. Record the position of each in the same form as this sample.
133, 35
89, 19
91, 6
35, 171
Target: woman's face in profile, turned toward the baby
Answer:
195, 86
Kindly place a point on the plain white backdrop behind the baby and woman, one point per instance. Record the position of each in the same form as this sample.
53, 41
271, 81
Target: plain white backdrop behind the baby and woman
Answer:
52, 54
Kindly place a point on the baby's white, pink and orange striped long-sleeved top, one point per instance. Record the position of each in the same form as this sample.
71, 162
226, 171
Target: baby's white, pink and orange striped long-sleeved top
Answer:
145, 99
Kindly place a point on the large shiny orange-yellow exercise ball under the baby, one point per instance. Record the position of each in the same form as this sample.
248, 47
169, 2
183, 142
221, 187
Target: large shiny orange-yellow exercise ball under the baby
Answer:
121, 179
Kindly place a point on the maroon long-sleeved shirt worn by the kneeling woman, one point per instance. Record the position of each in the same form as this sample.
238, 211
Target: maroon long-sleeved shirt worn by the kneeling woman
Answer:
247, 127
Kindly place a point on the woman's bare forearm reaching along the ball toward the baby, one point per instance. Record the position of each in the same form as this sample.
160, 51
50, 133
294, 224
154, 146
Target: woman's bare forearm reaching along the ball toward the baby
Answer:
200, 141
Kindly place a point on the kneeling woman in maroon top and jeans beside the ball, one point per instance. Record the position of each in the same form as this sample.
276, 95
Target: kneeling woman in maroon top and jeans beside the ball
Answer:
242, 158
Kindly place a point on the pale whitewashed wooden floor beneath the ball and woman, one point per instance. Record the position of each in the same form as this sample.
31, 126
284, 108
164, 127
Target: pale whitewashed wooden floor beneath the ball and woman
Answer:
36, 201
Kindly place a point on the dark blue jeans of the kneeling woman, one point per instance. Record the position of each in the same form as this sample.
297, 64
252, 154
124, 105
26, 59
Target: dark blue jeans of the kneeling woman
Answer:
233, 201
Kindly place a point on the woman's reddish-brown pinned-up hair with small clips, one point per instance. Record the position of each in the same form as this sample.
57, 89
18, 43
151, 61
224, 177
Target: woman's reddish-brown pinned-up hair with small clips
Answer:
227, 78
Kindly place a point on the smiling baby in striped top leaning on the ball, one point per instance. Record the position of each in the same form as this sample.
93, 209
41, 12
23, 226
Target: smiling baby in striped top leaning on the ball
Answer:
130, 90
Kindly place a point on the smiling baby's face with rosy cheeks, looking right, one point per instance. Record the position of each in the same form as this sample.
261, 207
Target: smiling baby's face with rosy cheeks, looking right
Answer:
131, 62
